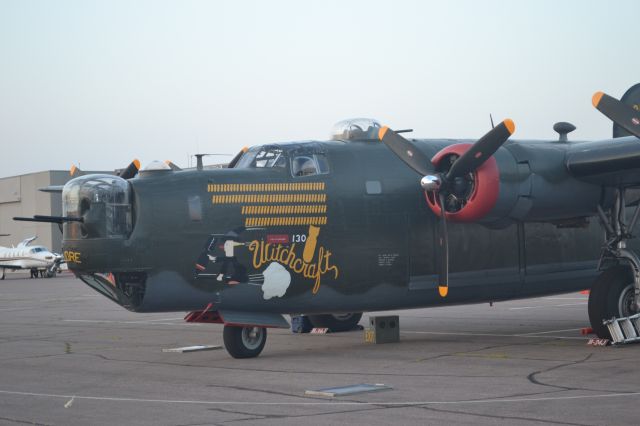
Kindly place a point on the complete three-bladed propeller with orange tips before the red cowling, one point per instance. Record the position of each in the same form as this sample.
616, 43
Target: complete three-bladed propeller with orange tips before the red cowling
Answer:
451, 182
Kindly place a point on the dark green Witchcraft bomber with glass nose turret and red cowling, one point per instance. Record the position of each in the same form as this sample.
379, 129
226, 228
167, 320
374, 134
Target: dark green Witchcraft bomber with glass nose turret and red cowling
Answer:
367, 221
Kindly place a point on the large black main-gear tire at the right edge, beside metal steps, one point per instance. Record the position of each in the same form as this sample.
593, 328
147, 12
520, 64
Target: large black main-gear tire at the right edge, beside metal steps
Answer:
612, 295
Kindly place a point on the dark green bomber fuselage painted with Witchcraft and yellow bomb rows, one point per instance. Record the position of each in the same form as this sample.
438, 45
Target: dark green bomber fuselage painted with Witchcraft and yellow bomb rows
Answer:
375, 244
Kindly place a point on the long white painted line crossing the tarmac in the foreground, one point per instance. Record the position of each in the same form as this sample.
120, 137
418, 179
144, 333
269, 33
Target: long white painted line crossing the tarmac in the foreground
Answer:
318, 403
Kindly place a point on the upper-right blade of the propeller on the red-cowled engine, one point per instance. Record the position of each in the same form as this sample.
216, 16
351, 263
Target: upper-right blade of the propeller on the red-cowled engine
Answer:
480, 151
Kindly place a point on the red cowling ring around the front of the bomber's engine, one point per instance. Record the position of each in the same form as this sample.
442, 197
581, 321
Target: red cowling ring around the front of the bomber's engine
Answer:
484, 194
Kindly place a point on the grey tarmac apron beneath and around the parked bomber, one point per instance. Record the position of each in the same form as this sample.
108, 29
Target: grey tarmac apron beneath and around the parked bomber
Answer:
69, 356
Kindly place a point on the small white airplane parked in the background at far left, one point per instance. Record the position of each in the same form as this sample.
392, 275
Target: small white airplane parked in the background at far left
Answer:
38, 259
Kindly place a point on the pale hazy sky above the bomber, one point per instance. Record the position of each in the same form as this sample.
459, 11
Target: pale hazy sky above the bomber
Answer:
99, 83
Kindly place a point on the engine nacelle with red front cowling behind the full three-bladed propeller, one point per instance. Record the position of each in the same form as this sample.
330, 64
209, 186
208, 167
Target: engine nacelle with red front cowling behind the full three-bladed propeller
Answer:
520, 182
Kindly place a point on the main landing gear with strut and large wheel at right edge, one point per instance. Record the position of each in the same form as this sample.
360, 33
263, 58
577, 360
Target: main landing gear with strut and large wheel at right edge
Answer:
616, 292
